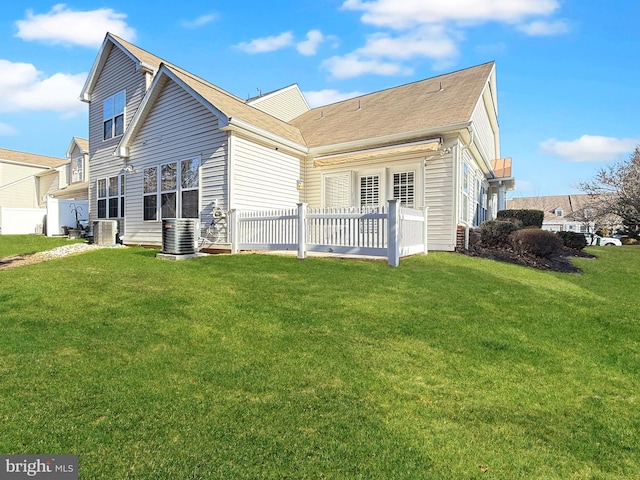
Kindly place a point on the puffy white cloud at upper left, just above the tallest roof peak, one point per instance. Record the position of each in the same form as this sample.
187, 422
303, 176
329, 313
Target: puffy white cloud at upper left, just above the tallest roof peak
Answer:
65, 26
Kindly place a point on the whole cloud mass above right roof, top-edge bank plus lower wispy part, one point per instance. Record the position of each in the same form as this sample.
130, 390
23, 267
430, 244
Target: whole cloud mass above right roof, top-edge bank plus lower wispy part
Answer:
434, 29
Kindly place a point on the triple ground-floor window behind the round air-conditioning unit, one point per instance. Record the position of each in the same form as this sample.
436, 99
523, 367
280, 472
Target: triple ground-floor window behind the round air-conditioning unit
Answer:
175, 190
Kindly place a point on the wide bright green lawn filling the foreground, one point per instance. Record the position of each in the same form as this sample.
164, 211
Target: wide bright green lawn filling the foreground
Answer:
256, 366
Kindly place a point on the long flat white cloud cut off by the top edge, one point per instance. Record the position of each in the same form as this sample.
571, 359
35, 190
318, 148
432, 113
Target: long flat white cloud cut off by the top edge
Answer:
408, 13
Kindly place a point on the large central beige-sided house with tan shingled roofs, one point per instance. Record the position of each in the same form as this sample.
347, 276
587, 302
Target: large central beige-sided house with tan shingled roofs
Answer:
164, 143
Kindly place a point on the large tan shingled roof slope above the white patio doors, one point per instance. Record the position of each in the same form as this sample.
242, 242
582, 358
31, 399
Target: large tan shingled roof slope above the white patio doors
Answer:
440, 102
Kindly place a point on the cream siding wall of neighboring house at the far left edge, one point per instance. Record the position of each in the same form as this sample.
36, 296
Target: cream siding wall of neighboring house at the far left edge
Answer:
24, 192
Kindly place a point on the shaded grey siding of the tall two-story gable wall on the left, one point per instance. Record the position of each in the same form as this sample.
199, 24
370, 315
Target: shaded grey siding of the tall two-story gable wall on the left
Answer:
119, 73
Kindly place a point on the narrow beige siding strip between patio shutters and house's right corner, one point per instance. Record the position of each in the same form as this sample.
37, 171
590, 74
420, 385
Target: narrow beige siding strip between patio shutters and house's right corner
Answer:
439, 178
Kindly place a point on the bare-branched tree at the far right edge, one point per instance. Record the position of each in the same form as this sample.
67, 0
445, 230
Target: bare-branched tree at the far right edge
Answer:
615, 190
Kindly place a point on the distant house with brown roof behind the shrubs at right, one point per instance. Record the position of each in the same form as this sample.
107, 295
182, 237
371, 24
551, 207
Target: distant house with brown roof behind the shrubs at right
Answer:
562, 213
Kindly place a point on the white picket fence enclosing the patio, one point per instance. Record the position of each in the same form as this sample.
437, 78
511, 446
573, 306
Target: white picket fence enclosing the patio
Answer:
392, 232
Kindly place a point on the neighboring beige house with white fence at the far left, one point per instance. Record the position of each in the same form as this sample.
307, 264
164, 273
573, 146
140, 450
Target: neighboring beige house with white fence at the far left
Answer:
30, 184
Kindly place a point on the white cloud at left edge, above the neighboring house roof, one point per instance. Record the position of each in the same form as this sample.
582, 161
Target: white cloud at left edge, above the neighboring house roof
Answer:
23, 87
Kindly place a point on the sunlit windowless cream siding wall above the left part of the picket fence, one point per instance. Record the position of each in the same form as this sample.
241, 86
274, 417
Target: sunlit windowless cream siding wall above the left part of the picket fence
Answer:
264, 178
